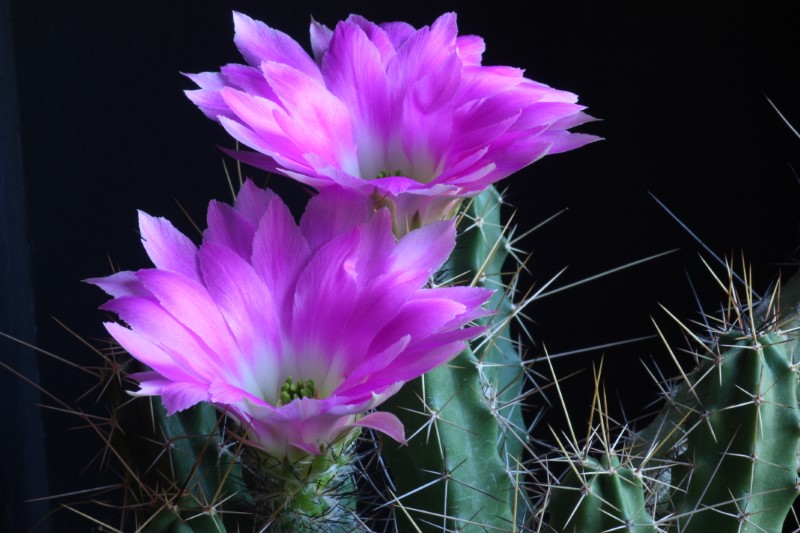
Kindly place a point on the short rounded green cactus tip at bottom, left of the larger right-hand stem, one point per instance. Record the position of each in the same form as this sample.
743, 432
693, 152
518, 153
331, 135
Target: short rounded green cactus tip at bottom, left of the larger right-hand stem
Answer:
606, 497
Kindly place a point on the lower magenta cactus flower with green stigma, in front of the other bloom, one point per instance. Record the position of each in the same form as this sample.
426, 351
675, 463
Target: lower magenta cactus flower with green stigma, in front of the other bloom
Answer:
263, 303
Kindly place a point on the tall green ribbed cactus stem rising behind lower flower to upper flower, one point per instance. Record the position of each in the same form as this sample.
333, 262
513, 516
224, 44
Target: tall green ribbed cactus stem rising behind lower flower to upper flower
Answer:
460, 470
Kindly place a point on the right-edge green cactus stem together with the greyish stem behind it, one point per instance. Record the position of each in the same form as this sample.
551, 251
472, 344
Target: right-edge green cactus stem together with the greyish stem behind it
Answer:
731, 426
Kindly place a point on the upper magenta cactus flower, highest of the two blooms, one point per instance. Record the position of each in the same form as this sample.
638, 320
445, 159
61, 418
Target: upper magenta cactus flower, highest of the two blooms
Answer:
409, 117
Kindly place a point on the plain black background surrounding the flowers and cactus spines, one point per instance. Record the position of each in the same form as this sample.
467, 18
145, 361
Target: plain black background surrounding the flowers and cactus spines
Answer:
105, 130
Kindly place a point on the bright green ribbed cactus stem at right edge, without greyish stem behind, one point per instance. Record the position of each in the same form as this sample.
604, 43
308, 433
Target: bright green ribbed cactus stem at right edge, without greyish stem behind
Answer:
745, 446
